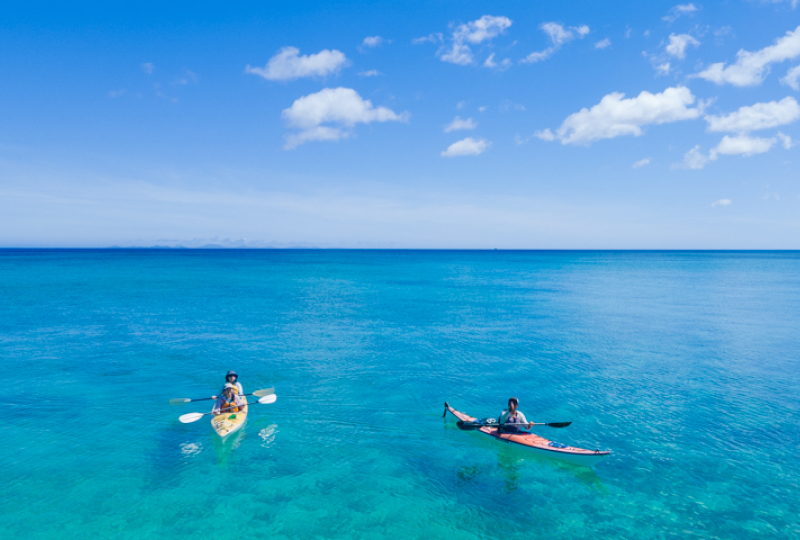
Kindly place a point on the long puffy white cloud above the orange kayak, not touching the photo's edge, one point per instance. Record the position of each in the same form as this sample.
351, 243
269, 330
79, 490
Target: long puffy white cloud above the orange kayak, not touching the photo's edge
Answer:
615, 116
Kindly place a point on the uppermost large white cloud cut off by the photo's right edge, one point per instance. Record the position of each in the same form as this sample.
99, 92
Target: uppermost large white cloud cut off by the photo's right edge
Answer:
751, 68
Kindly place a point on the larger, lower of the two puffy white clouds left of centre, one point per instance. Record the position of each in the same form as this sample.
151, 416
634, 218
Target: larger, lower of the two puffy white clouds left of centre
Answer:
342, 107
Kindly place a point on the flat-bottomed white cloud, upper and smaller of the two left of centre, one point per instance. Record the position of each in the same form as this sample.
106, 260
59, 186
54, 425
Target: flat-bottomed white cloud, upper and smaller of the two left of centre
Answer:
288, 65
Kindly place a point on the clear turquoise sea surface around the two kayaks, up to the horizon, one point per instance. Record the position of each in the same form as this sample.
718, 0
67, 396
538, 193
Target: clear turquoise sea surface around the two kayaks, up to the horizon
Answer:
686, 365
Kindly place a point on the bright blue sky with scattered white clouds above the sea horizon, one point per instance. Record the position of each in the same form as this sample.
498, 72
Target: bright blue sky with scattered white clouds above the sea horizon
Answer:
517, 124
